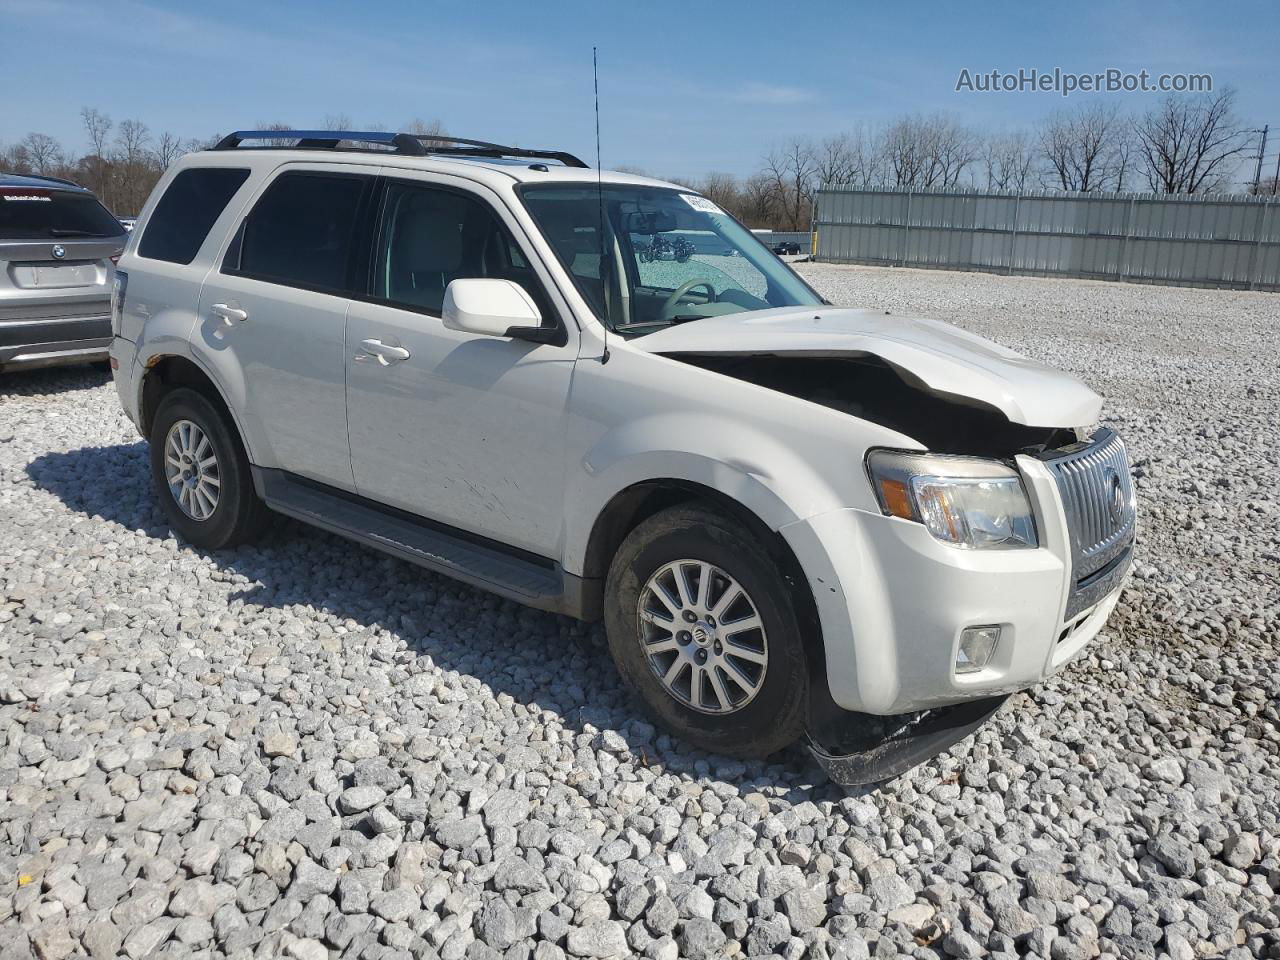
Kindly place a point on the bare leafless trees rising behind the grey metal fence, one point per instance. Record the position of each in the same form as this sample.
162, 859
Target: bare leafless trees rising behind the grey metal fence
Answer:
1185, 144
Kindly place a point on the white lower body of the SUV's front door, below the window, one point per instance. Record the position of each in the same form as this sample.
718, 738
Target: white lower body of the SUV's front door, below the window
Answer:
468, 431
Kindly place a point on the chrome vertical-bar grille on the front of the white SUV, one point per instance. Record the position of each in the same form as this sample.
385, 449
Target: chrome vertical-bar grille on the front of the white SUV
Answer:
1096, 487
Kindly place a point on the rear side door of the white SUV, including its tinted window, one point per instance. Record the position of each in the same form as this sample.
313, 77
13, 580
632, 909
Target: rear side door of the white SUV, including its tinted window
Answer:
273, 317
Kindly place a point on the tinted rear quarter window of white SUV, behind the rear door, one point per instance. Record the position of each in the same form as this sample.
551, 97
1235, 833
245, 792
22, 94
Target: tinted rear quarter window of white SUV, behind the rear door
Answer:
188, 211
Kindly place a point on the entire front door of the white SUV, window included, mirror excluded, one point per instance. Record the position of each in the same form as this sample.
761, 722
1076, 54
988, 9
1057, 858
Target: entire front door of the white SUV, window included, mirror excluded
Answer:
467, 431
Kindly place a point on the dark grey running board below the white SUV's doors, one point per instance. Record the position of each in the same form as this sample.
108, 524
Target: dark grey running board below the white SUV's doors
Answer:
534, 583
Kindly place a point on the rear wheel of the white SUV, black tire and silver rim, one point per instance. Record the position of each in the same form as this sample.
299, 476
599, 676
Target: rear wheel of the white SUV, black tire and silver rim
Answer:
236, 515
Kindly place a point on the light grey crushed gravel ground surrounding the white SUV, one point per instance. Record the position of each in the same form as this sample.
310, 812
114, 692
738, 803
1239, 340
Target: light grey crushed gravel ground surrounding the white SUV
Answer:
307, 749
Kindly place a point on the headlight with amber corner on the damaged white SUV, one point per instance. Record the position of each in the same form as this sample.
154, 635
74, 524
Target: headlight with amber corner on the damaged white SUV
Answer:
962, 501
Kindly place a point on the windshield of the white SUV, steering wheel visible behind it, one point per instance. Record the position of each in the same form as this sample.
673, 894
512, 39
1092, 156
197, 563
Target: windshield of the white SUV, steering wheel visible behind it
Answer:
671, 257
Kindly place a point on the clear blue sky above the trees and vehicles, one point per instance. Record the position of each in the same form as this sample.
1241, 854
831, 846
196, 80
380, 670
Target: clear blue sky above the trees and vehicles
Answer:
685, 88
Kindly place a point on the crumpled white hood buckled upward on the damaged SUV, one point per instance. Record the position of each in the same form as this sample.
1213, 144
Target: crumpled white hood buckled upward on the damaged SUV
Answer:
944, 358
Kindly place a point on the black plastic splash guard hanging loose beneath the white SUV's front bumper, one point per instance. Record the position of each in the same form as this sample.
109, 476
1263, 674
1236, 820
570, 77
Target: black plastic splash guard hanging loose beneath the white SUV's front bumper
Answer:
860, 749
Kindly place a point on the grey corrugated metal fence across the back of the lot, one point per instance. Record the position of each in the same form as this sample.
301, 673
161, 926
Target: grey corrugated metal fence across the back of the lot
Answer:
1215, 241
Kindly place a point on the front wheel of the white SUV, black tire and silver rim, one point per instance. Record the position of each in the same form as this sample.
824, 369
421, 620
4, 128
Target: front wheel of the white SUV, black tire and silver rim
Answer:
732, 720
